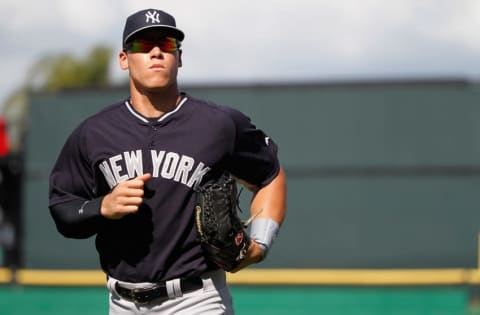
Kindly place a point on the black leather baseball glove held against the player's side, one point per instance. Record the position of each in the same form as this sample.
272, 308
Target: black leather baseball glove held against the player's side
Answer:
222, 233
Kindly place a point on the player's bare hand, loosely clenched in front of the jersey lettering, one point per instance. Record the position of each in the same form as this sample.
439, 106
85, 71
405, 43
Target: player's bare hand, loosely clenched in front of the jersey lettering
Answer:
125, 198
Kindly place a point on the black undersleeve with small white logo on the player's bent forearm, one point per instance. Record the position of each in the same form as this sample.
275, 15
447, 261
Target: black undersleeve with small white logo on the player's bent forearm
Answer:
78, 218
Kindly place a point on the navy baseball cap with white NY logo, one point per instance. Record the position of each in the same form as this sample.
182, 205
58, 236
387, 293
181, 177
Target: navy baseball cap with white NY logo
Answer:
151, 18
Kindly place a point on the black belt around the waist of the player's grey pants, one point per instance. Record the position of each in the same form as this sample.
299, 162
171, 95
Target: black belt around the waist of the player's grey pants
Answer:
145, 295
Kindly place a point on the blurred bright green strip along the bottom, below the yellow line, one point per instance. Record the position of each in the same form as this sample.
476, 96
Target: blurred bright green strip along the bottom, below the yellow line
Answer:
261, 300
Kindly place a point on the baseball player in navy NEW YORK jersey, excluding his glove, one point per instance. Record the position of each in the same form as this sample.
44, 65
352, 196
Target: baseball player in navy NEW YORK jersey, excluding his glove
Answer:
128, 175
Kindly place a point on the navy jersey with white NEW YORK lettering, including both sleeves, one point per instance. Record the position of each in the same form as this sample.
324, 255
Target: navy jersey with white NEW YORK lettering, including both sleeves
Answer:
192, 143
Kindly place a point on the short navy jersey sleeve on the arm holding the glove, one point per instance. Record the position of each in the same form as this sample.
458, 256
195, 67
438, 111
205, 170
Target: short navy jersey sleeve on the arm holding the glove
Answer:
254, 156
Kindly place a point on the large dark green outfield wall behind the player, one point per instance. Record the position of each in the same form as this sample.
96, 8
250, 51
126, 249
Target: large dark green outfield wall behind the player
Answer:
380, 174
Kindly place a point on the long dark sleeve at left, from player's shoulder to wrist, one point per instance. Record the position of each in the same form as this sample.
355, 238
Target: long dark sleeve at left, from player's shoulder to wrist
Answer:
73, 203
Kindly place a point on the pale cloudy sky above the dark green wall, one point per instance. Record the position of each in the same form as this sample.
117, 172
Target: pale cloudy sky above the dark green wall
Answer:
257, 41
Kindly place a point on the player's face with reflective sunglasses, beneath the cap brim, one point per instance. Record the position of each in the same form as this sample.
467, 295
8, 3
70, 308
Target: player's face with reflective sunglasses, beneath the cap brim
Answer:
153, 59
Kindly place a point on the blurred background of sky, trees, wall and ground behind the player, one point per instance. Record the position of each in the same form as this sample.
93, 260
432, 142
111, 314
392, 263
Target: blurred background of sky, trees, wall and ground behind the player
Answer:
374, 106
